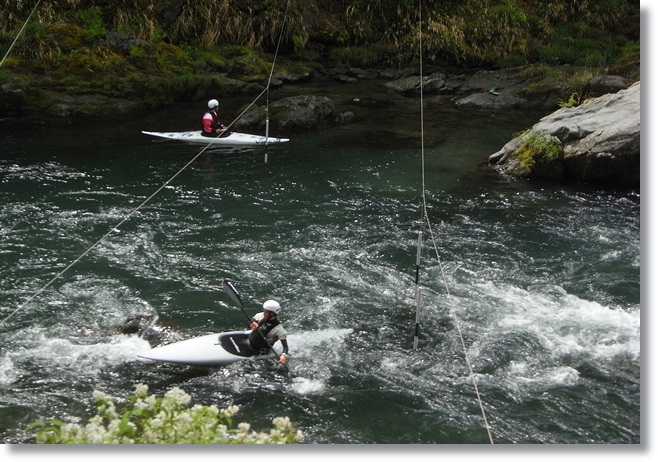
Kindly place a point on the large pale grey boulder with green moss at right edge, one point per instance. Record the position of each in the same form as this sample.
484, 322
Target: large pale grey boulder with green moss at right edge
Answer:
596, 142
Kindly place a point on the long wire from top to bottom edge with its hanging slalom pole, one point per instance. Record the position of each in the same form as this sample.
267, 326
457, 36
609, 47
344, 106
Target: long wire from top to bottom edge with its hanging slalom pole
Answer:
426, 221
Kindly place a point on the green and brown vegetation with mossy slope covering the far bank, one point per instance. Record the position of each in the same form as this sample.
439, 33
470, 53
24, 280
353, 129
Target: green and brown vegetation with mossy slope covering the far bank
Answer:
168, 50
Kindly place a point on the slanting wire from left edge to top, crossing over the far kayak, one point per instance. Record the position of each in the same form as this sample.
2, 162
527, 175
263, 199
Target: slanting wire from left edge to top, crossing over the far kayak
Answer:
116, 227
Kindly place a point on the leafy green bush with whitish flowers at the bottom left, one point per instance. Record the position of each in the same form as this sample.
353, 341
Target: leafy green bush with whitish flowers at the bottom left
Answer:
147, 419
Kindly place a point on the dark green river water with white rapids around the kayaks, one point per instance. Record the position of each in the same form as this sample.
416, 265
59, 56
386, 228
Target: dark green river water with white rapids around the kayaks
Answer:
542, 282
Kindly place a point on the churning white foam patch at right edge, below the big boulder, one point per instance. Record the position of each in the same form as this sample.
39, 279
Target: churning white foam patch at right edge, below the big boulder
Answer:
536, 339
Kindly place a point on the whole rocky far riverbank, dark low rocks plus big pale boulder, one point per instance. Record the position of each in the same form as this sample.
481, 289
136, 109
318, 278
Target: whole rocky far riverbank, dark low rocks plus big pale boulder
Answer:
607, 152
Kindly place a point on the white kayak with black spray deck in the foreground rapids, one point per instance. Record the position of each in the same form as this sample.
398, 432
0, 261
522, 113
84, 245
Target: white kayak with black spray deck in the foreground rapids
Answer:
209, 350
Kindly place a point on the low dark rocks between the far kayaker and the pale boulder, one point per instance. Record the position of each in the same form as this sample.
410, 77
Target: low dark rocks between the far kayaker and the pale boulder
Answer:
484, 89
